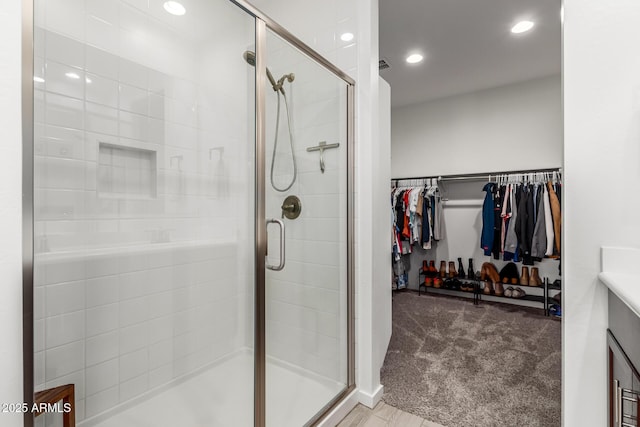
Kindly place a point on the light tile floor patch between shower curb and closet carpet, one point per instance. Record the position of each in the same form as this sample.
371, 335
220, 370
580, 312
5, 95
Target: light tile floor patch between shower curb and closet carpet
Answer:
383, 415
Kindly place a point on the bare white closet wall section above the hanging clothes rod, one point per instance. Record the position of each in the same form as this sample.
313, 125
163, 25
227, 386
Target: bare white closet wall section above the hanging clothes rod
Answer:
512, 127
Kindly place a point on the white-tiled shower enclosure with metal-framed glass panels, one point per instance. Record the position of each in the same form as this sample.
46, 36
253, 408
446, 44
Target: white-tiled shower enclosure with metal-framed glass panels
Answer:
176, 278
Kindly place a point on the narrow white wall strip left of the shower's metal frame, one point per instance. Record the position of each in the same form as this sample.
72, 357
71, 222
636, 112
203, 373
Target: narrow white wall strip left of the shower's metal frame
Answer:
10, 210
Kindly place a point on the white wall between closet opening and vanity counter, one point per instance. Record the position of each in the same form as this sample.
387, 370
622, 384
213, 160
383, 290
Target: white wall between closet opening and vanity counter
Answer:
602, 157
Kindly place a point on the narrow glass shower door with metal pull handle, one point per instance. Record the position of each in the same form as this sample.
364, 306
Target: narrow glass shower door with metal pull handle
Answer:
306, 197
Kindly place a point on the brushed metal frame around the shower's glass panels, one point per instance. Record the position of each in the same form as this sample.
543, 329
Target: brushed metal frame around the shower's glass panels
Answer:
262, 23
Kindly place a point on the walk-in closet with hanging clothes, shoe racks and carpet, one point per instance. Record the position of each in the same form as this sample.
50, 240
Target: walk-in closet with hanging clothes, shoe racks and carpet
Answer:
475, 207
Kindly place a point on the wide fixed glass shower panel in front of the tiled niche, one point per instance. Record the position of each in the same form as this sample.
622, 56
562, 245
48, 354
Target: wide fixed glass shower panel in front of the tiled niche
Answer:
144, 202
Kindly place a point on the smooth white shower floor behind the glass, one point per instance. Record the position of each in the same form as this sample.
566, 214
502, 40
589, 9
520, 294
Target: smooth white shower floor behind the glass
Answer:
223, 396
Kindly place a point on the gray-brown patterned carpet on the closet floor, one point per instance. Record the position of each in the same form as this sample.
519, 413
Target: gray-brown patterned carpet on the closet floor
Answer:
460, 365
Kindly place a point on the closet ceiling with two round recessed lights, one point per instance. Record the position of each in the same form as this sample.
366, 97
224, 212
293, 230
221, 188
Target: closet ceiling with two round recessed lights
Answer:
467, 45
